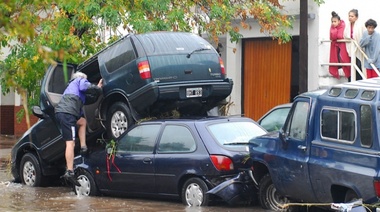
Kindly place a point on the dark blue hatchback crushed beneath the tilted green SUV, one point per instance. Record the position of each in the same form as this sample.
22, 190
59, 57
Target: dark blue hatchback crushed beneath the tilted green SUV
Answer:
179, 158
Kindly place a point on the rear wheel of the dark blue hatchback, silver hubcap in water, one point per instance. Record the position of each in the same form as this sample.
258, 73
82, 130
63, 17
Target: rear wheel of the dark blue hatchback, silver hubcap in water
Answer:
194, 192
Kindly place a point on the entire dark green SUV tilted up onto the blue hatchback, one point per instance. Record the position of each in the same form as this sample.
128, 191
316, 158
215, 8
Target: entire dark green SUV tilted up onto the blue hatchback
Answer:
143, 75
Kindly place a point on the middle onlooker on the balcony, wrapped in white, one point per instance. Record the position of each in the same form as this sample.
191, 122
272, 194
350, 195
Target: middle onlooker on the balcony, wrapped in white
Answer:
354, 31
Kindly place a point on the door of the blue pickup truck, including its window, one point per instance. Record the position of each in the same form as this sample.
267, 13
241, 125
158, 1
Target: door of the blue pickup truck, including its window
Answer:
292, 165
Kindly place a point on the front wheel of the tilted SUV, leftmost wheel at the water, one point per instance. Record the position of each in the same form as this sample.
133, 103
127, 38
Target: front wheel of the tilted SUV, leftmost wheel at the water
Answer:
30, 170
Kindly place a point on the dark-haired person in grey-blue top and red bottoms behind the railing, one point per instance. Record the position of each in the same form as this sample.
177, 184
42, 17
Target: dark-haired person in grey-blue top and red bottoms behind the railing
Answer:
371, 44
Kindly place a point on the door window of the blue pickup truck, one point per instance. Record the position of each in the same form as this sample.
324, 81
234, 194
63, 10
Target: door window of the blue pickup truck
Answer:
298, 125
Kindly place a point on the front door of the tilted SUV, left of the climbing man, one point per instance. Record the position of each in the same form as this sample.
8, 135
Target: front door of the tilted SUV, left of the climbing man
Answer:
46, 134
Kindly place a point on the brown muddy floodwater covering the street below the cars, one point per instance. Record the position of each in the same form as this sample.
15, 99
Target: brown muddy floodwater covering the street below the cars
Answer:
18, 197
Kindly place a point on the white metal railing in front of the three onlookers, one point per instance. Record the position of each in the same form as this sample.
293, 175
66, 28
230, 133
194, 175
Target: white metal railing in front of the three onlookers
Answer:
353, 65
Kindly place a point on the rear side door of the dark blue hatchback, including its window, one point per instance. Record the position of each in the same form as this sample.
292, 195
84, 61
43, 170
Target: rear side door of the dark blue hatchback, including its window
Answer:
176, 155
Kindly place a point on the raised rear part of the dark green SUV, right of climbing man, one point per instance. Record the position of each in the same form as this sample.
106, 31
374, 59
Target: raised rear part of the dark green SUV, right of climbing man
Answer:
147, 74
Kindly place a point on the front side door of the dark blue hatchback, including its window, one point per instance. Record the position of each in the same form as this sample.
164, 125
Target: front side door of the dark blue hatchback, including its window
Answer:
132, 169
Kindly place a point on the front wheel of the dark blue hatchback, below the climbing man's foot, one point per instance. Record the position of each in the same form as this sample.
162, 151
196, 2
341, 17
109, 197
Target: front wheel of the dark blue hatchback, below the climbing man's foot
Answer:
88, 186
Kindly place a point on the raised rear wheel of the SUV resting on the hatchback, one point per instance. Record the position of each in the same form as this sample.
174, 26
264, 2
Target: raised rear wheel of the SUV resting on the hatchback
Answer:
118, 119
